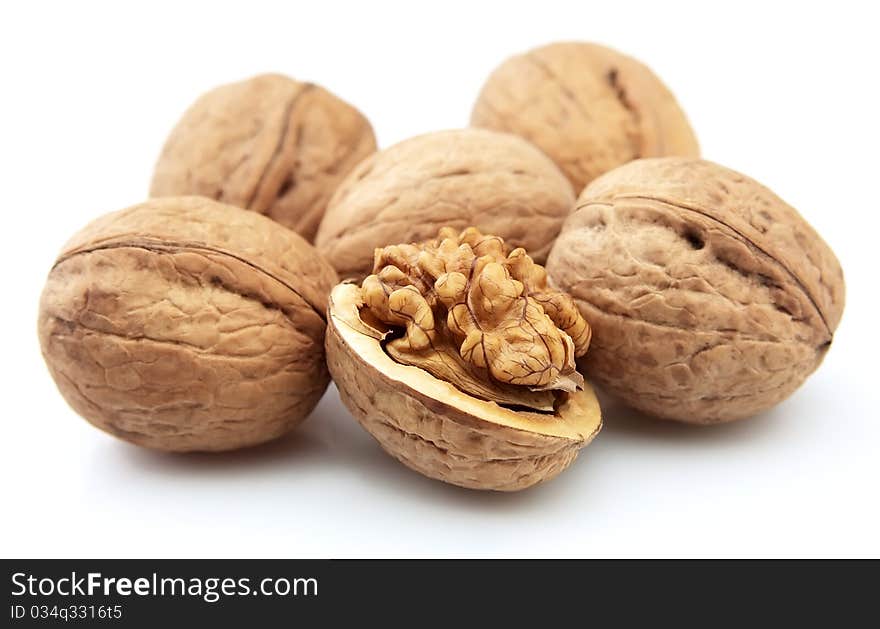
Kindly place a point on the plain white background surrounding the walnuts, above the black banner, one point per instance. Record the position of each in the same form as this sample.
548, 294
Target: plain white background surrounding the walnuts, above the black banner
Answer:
785, 92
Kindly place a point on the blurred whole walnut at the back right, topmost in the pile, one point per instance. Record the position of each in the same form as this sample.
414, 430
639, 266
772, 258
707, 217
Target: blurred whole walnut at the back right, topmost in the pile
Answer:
588, 107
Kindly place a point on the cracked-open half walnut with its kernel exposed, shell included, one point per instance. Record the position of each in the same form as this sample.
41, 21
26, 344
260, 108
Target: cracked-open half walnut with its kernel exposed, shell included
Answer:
460, 359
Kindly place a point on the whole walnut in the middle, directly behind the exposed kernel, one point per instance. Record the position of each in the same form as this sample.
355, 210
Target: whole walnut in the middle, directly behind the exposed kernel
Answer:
494, 181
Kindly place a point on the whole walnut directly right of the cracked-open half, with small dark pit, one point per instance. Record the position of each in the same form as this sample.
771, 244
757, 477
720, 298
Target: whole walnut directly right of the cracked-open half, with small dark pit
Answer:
710, 298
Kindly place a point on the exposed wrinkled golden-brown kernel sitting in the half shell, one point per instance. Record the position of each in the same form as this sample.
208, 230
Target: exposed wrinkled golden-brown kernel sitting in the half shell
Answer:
476, 314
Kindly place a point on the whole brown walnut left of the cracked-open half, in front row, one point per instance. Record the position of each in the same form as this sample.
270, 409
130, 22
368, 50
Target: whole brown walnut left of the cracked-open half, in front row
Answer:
185, 324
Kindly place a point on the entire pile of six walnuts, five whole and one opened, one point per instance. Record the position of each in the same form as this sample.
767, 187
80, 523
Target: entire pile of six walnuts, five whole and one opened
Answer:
572, 230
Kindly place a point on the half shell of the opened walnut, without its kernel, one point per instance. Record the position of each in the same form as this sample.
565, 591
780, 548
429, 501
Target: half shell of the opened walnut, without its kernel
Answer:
439, 431
